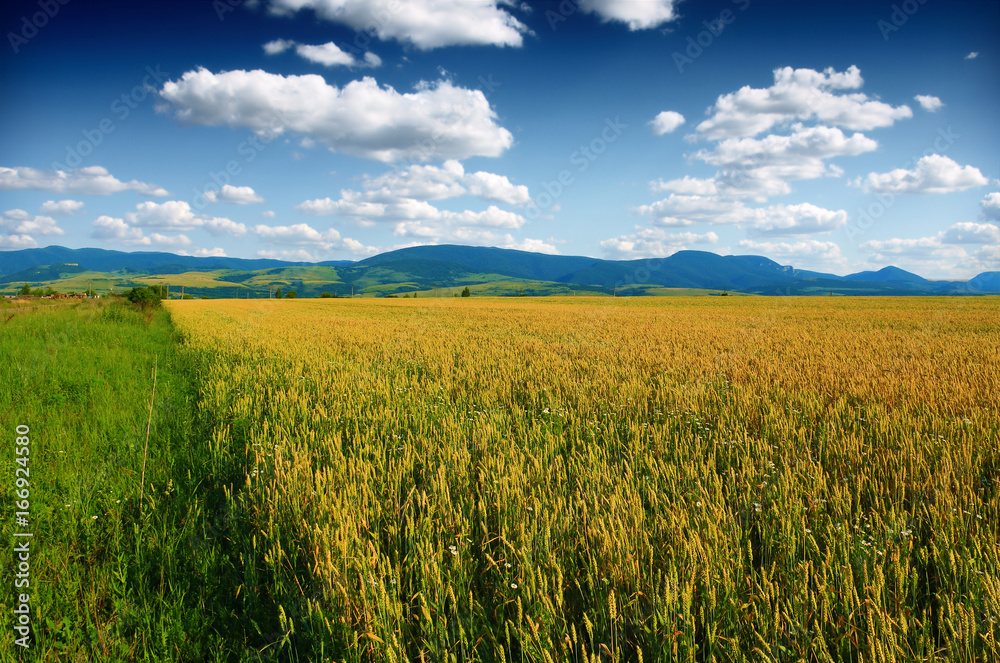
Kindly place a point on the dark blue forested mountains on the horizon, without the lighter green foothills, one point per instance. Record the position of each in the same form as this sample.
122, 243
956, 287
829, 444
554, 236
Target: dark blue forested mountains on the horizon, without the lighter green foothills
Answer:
455, 265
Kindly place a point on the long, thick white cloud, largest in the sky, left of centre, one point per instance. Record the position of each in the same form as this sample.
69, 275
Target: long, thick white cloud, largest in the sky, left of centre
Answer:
436, 121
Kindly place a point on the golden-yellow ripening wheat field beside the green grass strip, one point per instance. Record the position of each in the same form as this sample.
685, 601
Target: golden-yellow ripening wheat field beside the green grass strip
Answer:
614, 479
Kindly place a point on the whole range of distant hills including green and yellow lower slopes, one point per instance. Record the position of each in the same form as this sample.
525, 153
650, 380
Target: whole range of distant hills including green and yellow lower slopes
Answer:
440, 268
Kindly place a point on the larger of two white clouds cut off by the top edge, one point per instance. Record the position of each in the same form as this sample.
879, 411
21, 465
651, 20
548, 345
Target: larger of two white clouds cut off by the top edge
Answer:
426, 24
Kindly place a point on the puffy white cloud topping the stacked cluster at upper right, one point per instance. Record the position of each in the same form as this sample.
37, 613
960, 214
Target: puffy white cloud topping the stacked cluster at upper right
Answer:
799, 94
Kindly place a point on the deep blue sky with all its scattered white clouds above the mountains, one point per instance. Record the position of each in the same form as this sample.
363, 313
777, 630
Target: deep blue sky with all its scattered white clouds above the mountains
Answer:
828, 136
